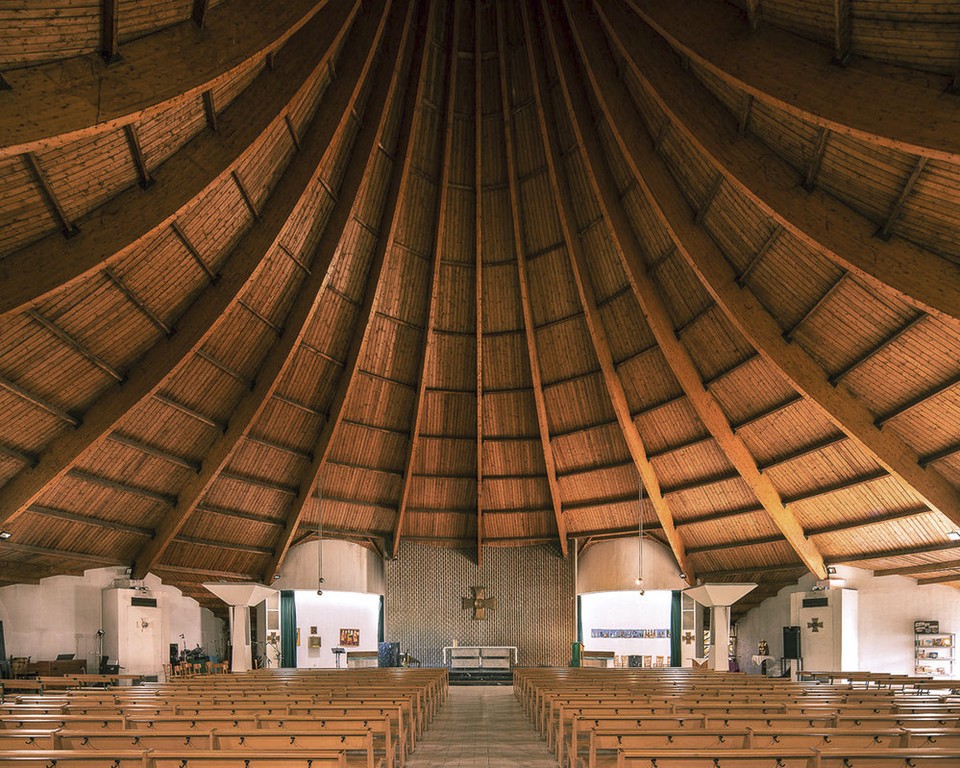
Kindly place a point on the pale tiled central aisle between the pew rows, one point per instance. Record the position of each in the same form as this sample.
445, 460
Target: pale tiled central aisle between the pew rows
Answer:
481, 726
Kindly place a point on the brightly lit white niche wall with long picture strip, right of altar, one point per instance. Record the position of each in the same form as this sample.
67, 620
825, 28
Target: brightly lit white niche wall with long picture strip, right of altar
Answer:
627, 610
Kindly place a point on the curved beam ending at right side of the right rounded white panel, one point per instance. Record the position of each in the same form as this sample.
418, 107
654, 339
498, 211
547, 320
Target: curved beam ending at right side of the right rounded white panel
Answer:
587, 294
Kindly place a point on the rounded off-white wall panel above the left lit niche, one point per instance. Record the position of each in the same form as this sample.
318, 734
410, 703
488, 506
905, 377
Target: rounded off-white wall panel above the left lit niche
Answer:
347, 567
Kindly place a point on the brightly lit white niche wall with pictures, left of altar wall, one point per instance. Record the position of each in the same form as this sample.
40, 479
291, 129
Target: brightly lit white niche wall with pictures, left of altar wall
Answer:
330, 613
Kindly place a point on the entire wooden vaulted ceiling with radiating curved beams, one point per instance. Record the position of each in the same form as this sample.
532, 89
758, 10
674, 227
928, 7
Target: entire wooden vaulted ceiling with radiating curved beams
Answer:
466, 271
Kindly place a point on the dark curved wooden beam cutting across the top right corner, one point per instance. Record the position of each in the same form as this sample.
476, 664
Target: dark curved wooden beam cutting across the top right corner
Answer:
879, 104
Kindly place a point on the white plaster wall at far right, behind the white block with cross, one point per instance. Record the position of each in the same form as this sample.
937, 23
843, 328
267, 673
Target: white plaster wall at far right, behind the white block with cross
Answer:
888, 606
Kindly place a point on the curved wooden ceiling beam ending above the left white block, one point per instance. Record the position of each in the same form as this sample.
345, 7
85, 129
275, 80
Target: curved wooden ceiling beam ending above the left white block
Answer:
359, 63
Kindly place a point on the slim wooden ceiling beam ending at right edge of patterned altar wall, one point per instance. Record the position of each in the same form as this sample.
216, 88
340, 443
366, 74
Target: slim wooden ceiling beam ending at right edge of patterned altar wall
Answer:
533, 355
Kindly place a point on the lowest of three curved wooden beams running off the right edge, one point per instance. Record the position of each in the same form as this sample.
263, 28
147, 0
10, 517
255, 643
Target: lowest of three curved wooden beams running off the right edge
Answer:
747, 314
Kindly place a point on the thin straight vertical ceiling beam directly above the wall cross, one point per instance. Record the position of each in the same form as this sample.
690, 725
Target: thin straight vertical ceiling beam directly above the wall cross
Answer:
478, 257
